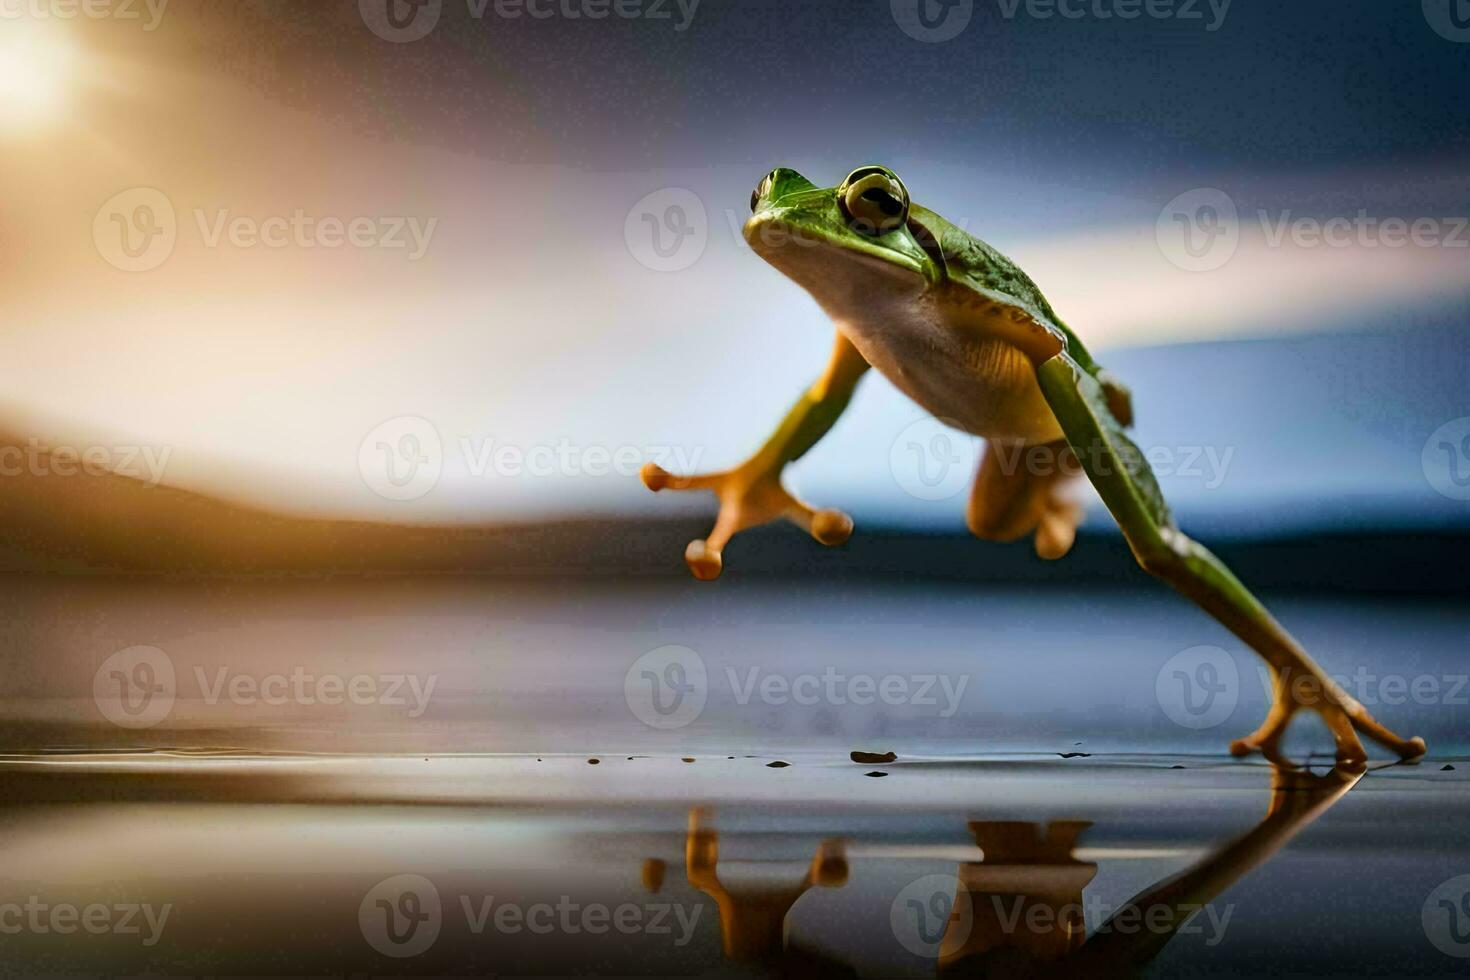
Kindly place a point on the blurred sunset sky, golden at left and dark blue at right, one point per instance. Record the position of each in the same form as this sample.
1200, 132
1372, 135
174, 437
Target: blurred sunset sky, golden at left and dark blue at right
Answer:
289, 243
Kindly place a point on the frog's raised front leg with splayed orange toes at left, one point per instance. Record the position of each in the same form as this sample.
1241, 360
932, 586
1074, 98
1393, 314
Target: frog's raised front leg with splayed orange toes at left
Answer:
752, 493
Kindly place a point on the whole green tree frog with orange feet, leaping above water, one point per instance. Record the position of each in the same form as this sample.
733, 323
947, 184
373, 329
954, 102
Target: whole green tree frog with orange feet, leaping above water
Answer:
969, 337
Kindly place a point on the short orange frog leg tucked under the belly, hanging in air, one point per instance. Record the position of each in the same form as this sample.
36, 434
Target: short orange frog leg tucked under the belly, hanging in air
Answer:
1024, 490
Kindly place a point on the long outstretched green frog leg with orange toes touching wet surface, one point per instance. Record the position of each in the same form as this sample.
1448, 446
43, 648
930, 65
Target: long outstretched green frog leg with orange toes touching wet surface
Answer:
1127, 486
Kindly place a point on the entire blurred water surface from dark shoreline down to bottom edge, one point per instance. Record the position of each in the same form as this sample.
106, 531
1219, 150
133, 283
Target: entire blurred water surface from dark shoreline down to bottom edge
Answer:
480, 778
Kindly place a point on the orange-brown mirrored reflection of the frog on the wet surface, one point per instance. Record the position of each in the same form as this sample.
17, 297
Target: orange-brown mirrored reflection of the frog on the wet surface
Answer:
1028, 875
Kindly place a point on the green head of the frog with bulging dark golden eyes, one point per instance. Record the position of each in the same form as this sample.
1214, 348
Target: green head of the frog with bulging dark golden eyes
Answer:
845, 240
